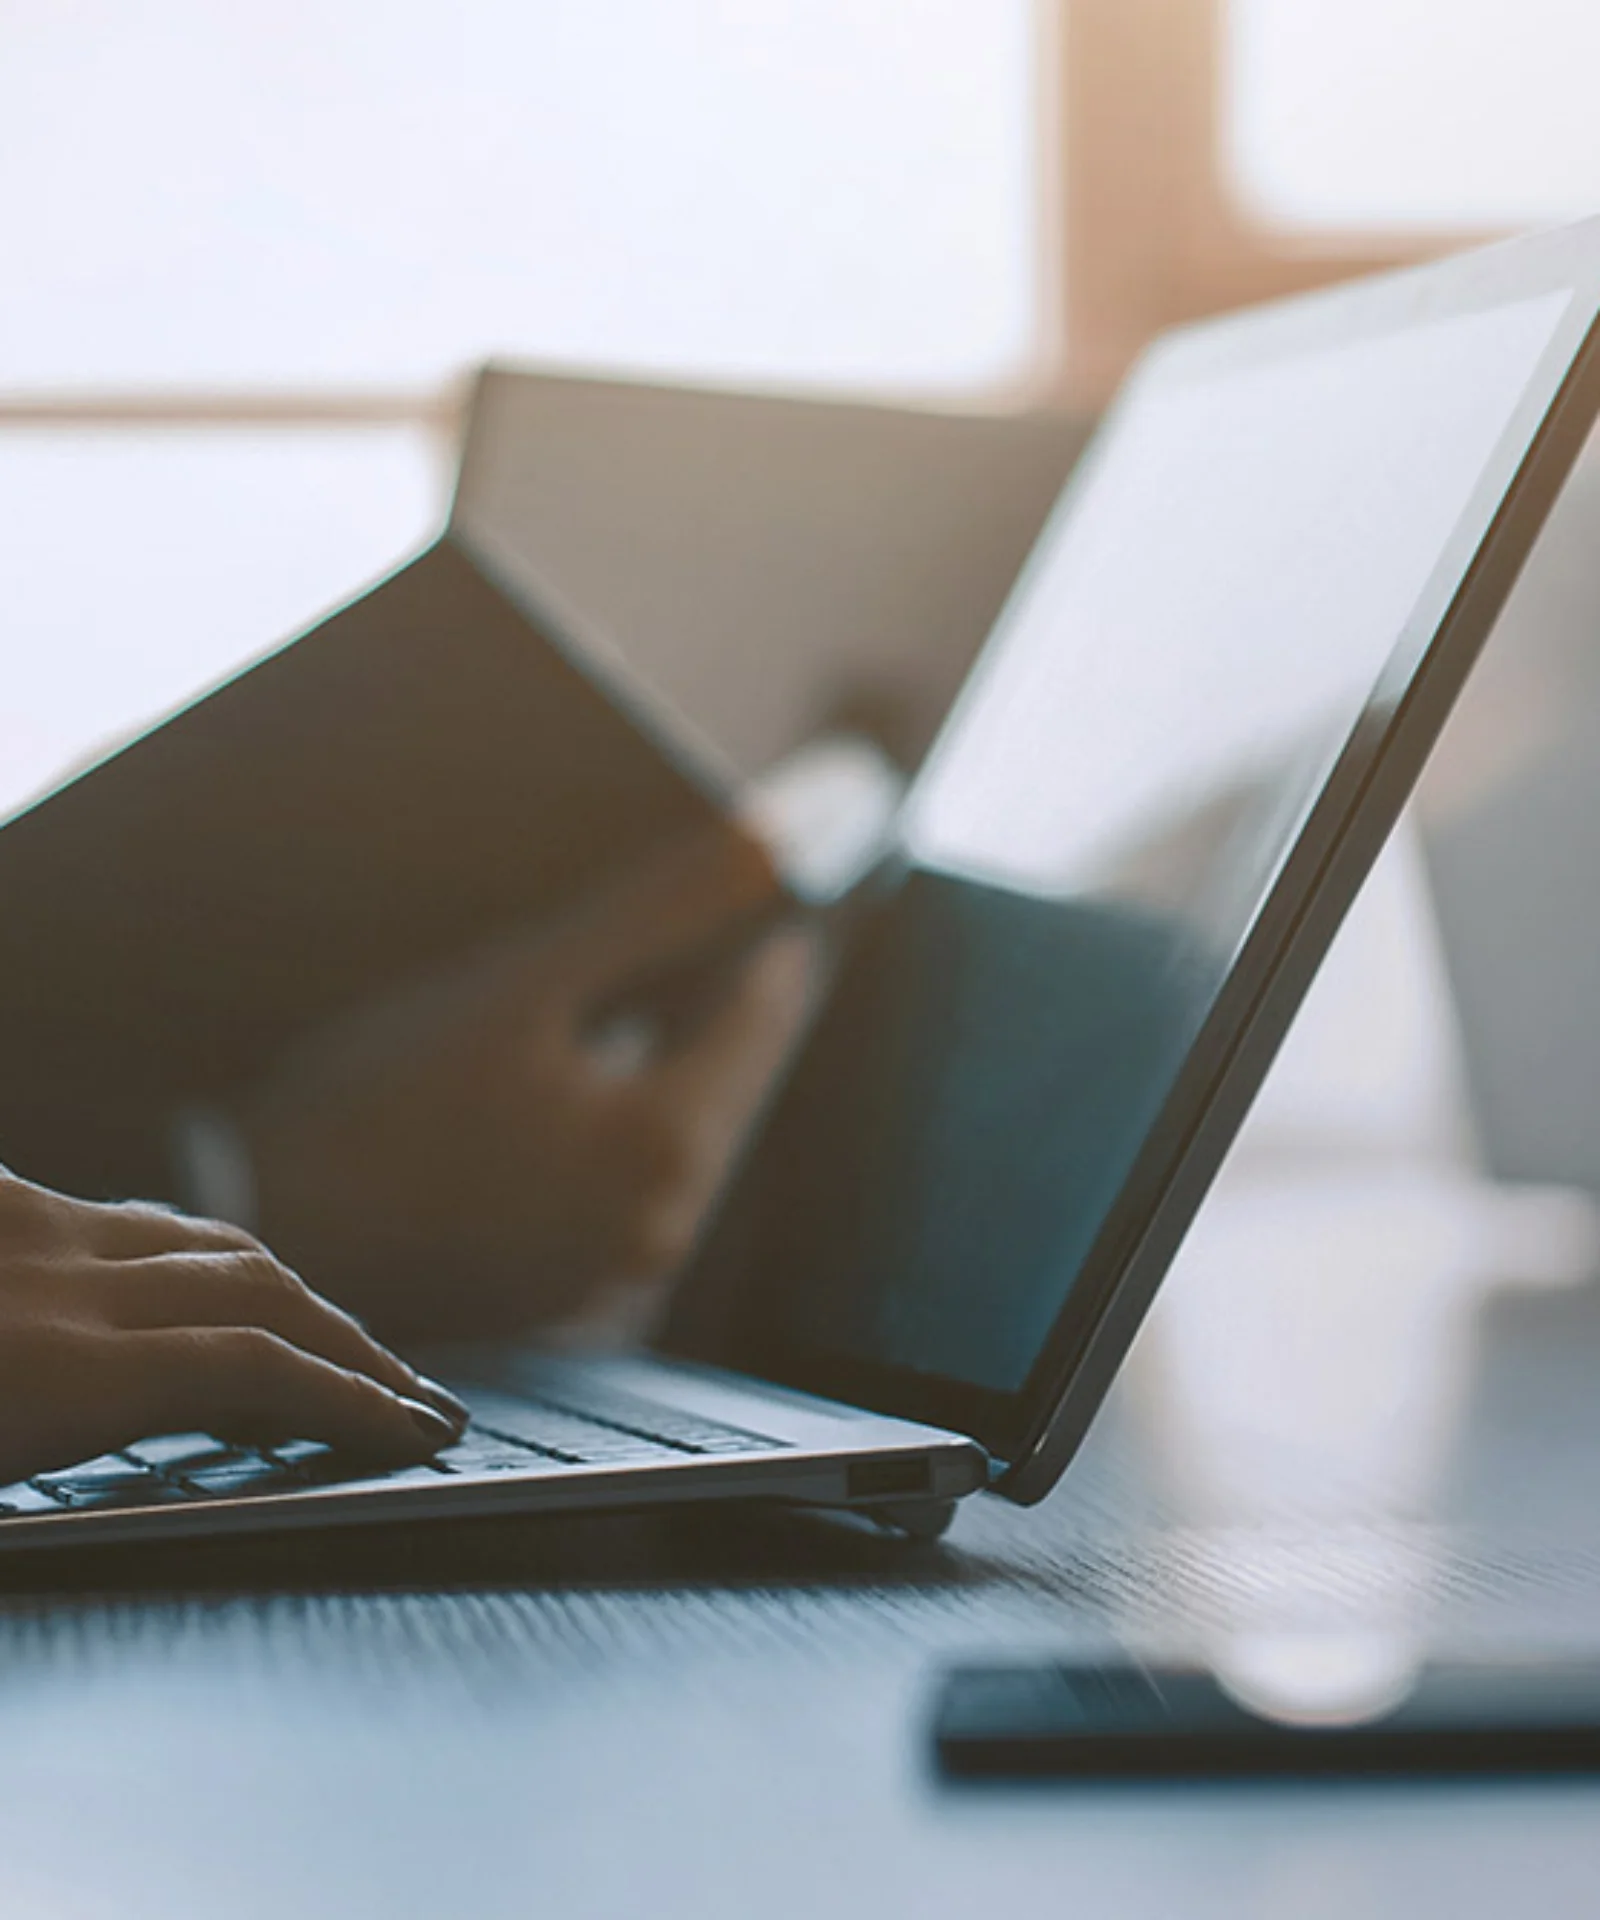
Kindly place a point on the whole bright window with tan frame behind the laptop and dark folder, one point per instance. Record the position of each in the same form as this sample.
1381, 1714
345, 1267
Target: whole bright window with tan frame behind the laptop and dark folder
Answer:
253, 251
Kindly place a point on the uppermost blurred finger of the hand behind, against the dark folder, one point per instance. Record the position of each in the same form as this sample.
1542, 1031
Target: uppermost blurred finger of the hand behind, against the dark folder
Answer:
662, 913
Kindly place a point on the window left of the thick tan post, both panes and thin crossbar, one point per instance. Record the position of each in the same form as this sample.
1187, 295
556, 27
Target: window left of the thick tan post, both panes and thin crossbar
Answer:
251, 249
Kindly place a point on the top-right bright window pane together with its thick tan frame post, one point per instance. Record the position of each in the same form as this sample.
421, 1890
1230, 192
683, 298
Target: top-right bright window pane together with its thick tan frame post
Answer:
1219, 153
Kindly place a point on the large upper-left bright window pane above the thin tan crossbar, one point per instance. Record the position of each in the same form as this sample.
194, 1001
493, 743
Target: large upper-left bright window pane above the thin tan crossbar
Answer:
381, 191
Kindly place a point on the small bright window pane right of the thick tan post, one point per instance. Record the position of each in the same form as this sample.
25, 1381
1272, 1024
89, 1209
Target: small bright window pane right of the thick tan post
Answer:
1394, 114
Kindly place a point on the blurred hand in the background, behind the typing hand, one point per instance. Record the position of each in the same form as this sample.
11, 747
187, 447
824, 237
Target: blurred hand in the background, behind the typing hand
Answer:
472, 1157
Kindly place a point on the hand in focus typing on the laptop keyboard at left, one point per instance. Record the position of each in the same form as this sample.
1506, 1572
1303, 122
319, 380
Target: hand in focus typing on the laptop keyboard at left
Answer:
126, 1322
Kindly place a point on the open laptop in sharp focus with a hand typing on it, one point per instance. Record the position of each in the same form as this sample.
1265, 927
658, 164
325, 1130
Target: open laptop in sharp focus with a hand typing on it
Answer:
1159, 792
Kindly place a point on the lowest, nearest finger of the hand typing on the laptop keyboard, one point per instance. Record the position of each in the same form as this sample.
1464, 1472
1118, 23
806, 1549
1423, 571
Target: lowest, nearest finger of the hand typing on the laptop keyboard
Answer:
243, 1383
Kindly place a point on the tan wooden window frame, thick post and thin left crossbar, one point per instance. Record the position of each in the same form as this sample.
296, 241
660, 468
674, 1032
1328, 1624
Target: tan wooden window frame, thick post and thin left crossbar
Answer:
1140, 229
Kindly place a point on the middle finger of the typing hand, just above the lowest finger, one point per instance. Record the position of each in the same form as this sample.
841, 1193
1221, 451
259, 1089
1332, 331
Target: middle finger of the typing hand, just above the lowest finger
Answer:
247, 1287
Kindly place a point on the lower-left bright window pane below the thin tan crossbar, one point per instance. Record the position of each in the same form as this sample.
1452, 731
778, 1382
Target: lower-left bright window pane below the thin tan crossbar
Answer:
141, 567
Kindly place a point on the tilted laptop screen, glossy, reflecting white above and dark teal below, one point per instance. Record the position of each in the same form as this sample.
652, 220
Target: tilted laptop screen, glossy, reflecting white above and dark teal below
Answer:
1205, 623
